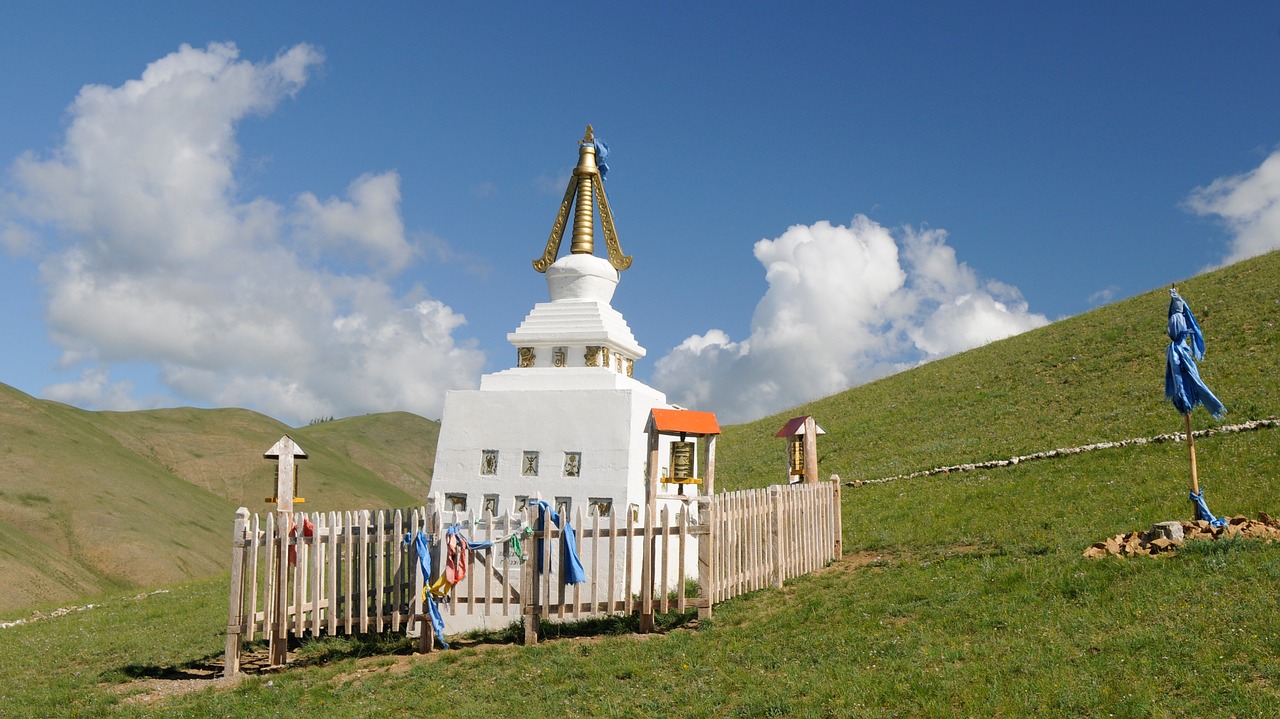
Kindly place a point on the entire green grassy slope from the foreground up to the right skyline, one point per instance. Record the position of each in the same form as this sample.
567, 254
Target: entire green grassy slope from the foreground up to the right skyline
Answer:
961, 596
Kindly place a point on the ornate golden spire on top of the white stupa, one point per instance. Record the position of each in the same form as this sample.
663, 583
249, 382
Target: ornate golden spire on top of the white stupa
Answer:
586, 186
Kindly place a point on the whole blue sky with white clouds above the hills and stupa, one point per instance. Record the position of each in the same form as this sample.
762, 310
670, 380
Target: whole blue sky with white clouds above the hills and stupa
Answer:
332, 210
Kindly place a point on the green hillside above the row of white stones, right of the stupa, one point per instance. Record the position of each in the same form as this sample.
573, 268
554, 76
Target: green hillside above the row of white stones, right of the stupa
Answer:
1092, 378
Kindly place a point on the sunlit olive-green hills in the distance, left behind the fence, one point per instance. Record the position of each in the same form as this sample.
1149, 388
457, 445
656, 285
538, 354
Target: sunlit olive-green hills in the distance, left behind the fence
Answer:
104, 501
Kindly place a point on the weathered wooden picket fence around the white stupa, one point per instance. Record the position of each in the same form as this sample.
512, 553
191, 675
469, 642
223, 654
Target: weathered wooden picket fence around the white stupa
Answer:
355, 573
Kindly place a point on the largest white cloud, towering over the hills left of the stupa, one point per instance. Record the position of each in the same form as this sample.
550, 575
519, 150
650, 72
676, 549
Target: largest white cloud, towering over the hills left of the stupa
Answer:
150, 255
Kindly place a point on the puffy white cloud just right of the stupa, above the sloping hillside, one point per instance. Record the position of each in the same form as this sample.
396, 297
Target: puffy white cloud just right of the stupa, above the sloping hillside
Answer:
844, 306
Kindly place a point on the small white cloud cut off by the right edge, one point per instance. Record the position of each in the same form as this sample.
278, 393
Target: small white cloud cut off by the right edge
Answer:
1250, 205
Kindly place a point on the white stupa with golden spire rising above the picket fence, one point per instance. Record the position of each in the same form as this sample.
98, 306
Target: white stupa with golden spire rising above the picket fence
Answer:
569, 422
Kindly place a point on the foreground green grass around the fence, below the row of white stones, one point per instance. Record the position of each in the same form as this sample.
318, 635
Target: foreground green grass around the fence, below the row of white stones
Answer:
961, 597
